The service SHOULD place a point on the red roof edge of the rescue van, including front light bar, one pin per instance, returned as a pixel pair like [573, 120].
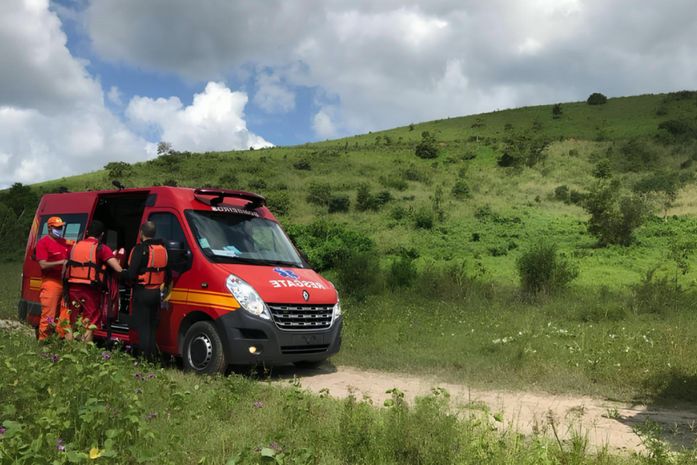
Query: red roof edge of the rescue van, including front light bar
[181, 198]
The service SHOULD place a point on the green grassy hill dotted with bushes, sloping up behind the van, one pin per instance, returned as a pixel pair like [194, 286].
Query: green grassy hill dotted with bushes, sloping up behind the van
[481, 212]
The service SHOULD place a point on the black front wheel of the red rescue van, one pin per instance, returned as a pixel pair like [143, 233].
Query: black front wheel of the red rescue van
[203, 349]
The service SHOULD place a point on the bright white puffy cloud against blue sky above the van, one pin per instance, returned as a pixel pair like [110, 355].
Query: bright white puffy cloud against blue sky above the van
[214, 121]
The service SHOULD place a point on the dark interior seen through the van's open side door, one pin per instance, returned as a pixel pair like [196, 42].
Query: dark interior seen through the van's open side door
[121, 215]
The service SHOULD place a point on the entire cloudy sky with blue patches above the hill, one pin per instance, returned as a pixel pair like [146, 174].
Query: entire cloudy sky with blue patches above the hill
[86, 82]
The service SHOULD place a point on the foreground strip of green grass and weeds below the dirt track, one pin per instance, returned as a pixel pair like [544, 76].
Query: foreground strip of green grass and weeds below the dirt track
[101, 407]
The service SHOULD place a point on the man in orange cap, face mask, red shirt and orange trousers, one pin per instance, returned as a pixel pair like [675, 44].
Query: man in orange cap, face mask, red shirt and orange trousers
[52, 253]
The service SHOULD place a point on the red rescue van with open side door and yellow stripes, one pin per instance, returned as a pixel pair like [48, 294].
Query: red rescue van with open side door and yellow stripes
[241, 293]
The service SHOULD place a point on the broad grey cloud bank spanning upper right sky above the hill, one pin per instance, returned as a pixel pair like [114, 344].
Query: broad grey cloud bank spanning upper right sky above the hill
[386, 62]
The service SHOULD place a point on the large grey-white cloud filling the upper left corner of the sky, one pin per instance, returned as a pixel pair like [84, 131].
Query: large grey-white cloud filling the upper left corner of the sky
[53, 121]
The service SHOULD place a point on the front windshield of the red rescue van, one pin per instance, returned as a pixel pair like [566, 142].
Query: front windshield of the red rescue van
[235, 238]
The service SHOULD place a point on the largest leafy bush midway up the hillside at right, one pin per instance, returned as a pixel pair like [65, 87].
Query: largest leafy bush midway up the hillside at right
[614, 217]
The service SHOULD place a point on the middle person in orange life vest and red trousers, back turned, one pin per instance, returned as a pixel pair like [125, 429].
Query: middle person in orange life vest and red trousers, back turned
[84, 277]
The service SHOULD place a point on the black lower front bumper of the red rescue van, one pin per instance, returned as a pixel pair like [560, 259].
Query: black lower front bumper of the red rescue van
[241, 331]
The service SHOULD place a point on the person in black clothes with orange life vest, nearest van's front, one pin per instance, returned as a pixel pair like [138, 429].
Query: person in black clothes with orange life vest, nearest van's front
[148, 273]
